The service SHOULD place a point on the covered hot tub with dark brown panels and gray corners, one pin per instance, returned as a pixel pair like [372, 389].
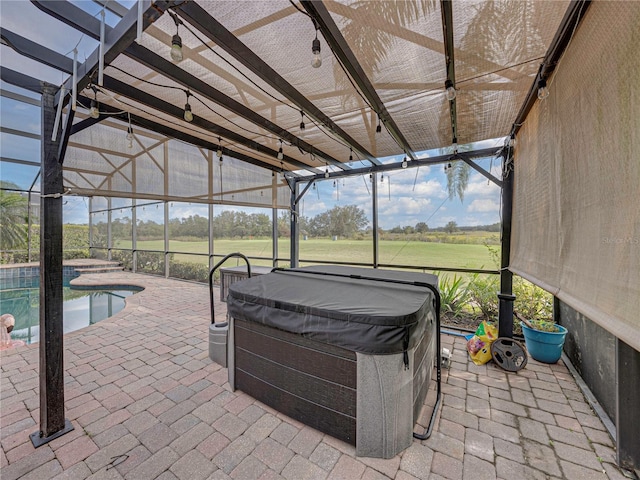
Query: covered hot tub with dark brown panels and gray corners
[348, 351]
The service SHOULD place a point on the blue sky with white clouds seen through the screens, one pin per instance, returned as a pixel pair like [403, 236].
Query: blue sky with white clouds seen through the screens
[405, 197]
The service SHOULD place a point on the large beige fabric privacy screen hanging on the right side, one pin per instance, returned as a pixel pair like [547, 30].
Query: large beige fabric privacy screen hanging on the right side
[576, 216]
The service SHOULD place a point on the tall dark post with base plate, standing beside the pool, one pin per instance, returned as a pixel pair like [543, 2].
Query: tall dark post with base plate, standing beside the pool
[52, 421]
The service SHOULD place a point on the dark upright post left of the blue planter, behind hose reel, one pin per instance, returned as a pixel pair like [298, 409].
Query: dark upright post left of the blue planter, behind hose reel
[506, 297]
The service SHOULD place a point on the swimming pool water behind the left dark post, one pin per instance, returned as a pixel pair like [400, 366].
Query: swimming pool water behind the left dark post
[81, 308]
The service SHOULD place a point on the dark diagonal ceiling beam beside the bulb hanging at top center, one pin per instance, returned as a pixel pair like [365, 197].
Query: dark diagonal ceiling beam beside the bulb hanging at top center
[338, 44]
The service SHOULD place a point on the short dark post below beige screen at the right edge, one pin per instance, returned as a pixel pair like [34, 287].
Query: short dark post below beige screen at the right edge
[627, 411]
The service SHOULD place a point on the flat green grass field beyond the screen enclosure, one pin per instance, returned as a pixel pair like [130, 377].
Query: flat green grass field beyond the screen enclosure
[405, 253]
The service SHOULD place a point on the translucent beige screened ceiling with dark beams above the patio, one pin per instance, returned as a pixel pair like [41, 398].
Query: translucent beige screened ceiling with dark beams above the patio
[247, 75]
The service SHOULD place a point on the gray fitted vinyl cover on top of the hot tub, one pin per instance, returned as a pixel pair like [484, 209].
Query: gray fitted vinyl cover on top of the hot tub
[321, 303]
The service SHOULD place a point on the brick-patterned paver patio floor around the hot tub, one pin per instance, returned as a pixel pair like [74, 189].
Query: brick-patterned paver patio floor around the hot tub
[147, 402]
